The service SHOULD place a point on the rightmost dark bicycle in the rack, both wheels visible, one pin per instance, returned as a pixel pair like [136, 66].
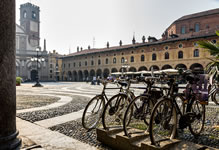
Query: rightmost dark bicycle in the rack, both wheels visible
[163, 121]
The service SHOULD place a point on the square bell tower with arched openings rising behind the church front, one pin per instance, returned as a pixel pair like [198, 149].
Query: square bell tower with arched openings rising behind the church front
[30, 21]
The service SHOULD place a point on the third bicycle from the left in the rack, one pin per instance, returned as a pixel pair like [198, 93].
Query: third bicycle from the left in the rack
[137, 115]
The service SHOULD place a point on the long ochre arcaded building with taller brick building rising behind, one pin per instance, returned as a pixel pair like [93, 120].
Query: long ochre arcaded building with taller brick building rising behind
[177, 48]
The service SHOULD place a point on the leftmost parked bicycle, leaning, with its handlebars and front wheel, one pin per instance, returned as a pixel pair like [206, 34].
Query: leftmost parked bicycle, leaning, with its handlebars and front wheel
[94, 109]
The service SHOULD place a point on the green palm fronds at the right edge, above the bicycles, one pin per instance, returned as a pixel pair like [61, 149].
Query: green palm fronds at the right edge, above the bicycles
[213, 48]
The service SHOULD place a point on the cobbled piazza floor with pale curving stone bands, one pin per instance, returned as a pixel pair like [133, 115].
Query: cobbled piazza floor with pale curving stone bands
[66, 118]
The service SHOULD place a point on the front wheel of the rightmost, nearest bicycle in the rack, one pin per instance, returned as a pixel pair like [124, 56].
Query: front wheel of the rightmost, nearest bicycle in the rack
[163, 122]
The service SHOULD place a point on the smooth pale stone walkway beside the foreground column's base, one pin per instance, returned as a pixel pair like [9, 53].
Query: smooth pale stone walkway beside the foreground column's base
[41, 138]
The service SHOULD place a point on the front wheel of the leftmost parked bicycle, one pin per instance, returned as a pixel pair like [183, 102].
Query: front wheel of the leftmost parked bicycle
[93, 112]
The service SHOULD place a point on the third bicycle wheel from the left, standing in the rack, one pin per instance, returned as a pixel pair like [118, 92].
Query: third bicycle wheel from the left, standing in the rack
[137, 116]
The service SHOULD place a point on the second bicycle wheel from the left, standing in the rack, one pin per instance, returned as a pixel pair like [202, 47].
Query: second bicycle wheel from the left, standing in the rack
[113, 113]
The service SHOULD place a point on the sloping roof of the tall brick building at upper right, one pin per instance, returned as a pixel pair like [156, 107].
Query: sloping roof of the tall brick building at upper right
[200, 14]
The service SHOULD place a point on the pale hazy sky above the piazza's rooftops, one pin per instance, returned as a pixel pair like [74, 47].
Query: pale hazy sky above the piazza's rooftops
[66, 24]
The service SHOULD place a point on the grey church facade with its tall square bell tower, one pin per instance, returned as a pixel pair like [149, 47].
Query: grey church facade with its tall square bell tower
[27, 41]
